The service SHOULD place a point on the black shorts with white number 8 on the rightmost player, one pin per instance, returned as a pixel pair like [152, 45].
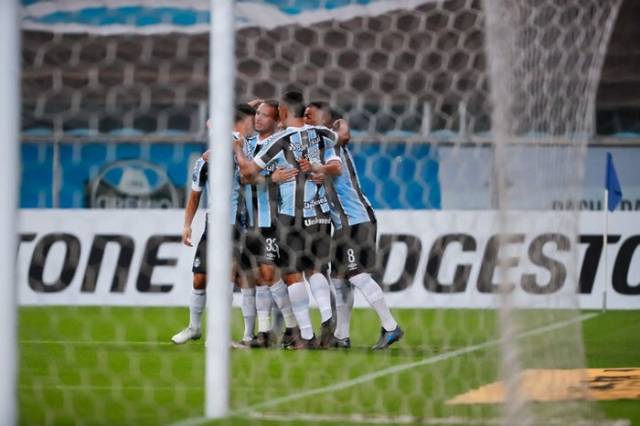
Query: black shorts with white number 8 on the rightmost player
[354, 249]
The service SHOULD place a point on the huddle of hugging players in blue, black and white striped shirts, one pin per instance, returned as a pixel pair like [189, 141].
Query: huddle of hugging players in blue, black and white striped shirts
[298, 213]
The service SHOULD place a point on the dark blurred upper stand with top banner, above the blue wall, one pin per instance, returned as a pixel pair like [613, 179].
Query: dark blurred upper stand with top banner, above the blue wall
[141, 67]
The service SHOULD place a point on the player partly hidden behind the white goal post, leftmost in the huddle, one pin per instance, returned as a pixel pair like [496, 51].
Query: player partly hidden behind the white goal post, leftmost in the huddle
[243, 127]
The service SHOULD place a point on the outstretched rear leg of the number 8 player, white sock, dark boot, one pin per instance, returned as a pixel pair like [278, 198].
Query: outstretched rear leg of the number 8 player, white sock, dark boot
[360, 257]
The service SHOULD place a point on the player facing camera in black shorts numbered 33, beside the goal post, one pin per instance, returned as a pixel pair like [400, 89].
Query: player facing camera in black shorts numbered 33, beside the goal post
[261, 240]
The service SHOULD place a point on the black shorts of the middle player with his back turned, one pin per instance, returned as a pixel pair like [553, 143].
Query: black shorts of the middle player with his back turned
[303, 246]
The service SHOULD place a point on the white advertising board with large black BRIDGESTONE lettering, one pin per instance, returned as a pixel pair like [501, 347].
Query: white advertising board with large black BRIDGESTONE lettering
[427, 259]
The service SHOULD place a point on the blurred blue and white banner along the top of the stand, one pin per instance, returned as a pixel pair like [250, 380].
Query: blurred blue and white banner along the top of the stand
[166, 16]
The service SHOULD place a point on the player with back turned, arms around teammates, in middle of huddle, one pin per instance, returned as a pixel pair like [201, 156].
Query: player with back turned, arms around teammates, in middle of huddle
[303, 210]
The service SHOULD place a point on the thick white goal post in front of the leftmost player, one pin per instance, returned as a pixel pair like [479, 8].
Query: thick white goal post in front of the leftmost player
[221, 93]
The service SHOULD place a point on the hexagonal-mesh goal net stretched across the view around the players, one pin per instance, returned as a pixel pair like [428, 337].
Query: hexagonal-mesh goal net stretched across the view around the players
[468, 120]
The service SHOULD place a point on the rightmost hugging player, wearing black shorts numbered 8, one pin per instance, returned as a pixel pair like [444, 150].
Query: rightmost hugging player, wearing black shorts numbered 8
[354, 240]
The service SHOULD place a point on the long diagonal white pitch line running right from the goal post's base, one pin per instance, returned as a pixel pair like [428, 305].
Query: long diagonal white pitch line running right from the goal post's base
[385, 372]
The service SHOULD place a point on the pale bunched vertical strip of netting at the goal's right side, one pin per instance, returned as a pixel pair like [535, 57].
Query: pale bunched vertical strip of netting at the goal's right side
[545, 67]
